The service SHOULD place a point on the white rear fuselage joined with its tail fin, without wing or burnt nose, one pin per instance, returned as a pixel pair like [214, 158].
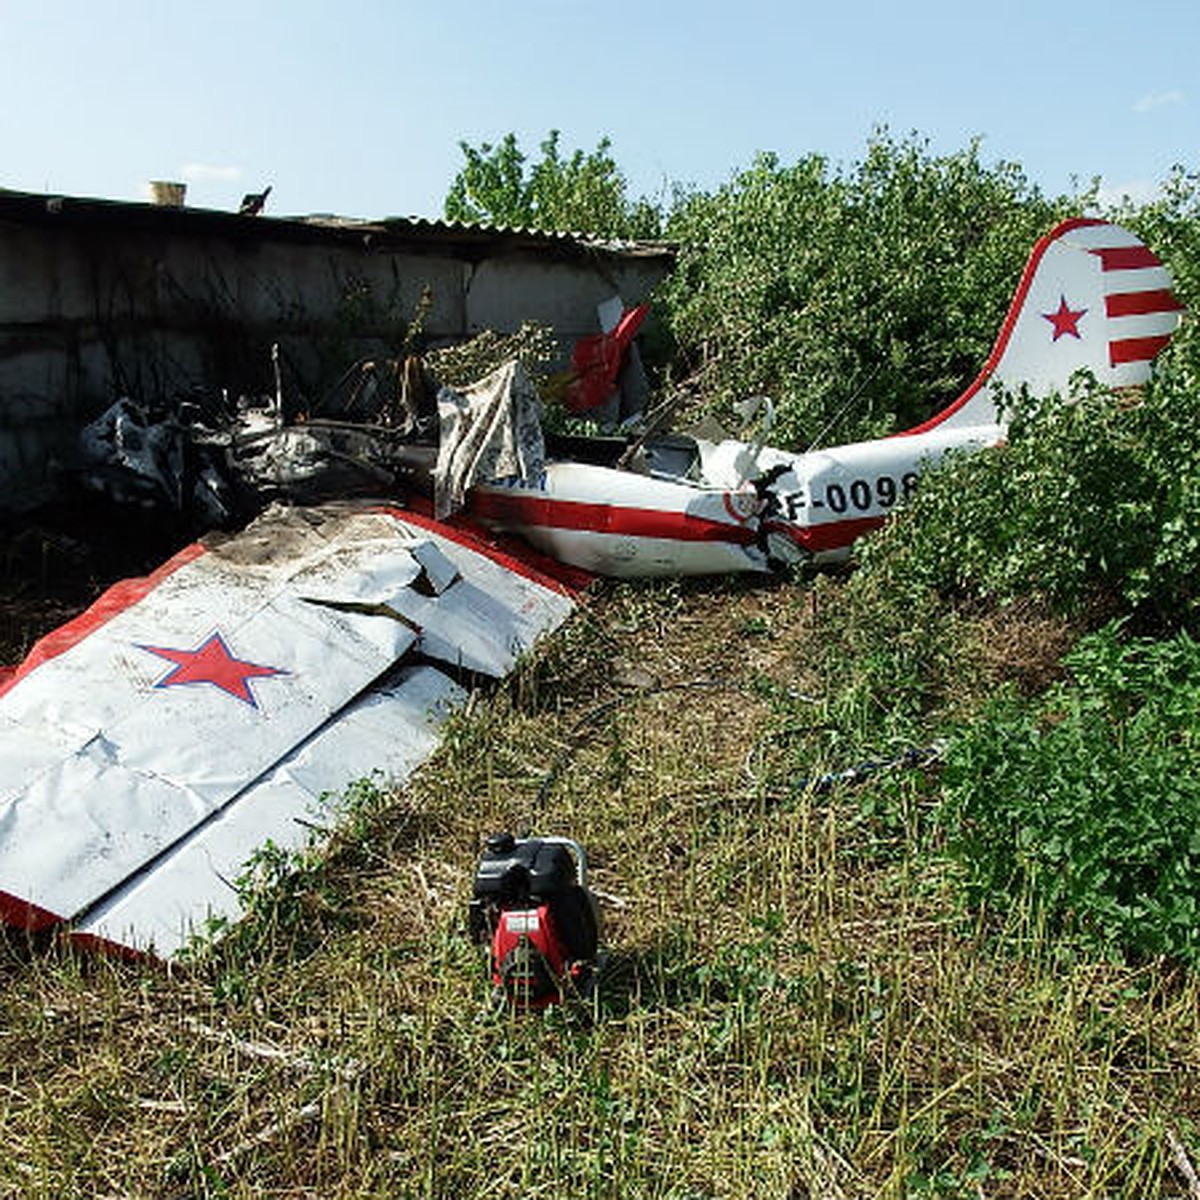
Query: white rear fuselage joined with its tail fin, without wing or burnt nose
[1093, 297]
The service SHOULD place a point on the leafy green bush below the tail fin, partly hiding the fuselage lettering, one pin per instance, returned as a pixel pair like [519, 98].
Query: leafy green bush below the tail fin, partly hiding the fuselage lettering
[1097, 497]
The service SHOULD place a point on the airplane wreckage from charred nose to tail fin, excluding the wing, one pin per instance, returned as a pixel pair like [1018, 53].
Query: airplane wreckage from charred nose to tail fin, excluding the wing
[1093, 298]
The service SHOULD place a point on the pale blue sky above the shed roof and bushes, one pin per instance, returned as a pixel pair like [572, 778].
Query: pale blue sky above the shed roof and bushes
[358, 107]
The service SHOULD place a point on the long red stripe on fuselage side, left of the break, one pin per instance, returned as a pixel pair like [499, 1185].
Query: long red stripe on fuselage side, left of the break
[547, 513]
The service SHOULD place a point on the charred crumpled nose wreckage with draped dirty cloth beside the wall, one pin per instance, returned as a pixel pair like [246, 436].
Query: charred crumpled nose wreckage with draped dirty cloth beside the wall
[217, 464]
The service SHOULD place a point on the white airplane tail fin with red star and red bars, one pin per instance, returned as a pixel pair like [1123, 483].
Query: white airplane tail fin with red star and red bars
[1093, 297]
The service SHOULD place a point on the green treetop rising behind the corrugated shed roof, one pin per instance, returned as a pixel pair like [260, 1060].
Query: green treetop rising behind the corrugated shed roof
[577, 194]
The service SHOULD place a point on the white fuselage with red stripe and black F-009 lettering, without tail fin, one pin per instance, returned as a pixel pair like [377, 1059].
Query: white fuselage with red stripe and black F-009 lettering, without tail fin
[627, 524]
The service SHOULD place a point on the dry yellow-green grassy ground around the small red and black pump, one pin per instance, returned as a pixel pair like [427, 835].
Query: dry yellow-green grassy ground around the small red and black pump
[795, 1006]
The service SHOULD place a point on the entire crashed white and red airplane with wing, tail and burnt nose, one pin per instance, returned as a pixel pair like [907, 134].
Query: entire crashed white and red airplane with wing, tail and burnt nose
[149, 747]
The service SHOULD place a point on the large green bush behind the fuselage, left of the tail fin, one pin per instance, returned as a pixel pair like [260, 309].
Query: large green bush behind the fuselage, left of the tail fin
[861, 301]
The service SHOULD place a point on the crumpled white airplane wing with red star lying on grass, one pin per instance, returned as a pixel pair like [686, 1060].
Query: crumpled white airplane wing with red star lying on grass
[152, 746]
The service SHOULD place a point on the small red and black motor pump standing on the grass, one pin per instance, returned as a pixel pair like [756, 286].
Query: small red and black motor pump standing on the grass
[532, 905]
